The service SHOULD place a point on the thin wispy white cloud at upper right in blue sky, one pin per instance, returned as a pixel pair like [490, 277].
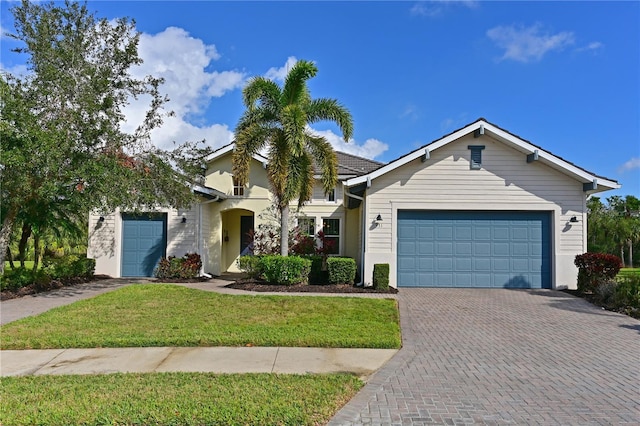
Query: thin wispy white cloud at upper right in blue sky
[525, 44]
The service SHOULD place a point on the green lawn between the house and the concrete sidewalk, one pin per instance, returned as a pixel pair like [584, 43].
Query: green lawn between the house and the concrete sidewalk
[170, 315]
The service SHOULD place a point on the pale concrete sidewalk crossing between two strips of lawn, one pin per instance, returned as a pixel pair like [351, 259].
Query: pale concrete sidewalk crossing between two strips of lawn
[362, 362]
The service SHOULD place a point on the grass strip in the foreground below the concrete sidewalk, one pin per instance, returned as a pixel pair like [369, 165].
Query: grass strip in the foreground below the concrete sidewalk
[175, 399]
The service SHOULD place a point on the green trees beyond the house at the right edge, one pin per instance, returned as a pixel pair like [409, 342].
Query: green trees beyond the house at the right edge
[614, 227]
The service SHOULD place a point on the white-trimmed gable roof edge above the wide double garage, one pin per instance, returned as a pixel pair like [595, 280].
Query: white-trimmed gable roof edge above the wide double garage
[491, 130]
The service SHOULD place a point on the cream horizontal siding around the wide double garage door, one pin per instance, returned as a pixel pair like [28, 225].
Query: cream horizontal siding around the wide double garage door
[505, 182]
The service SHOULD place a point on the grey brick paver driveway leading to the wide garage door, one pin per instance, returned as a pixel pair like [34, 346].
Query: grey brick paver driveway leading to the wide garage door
[475, 356]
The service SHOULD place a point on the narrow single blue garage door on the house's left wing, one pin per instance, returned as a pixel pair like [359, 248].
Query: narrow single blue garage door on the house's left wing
[144, 242]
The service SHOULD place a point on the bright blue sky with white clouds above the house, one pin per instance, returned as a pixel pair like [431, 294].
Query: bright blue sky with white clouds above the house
[563, 75]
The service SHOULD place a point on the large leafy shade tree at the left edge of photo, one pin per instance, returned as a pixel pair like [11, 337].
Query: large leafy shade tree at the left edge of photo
[64, 149]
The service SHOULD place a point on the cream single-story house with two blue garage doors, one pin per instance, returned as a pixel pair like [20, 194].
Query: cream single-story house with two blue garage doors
[479, 207]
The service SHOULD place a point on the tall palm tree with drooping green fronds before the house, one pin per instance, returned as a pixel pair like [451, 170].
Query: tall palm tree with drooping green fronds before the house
[278, 118]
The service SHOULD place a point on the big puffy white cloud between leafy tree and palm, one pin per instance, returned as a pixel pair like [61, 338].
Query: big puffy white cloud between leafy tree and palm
[183, 62]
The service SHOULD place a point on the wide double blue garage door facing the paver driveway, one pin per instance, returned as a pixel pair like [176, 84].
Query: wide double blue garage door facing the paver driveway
[473, 249]
